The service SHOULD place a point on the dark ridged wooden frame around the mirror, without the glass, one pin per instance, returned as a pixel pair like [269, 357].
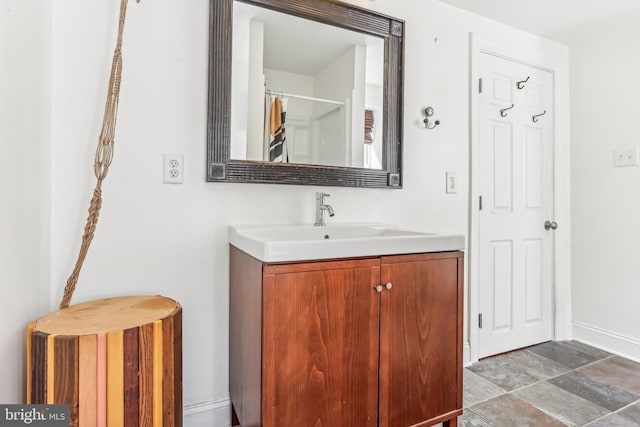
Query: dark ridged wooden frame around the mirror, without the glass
[221, 168]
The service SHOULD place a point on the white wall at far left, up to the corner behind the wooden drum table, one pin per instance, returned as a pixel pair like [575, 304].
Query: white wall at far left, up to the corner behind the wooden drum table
[24, 187]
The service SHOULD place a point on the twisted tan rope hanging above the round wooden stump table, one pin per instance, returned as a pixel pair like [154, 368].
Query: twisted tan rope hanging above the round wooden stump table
[104, 156]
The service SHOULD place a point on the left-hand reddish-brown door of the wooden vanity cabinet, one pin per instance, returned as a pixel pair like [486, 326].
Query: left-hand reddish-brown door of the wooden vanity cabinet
[321, 336]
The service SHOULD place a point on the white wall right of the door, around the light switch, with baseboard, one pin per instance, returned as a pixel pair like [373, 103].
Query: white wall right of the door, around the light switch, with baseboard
[605, 200]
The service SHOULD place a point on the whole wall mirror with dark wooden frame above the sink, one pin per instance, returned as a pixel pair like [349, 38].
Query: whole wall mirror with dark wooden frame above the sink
[304, 92]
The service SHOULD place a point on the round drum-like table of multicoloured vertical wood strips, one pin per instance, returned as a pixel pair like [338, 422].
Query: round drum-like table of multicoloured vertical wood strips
[114, 361]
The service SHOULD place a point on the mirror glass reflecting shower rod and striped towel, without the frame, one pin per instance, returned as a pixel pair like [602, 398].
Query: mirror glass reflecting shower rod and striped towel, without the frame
[304, 92]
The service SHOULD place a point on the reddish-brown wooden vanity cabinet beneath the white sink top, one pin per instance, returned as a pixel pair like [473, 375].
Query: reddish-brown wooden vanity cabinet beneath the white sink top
[319, 344]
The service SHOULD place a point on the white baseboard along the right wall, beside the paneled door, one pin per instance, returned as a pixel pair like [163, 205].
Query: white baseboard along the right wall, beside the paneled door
[612, 342]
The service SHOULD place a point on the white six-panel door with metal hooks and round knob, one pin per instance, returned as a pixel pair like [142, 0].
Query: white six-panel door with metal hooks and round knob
[516, 189]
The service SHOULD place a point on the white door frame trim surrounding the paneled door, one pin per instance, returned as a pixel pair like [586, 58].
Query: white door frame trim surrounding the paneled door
[548, 56]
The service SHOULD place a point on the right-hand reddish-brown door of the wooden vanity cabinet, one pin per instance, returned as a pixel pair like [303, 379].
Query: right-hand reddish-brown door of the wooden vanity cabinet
[421, 339]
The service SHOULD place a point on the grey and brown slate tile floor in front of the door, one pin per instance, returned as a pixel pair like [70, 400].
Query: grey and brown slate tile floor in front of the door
[564, 383]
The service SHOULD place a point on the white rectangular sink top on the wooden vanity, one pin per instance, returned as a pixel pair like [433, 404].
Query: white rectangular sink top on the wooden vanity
[279, 243]
